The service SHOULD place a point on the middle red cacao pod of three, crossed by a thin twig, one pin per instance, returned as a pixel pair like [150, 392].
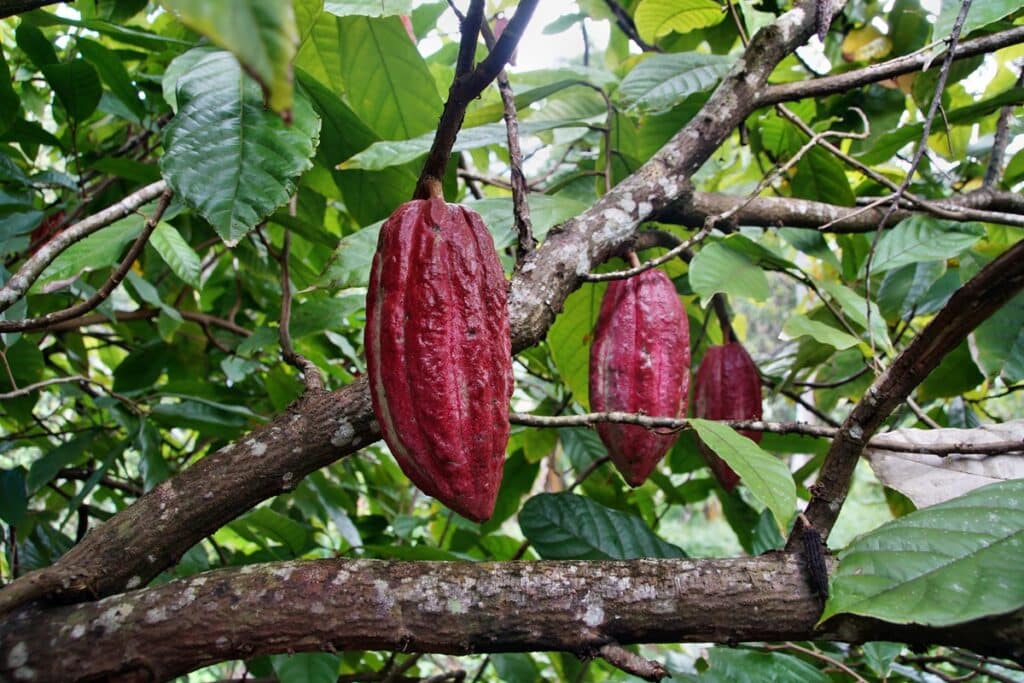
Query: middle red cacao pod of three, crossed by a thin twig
[639, 363]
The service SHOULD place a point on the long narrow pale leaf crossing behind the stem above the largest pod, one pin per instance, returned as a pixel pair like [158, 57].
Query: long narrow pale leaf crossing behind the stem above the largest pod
[393, 153]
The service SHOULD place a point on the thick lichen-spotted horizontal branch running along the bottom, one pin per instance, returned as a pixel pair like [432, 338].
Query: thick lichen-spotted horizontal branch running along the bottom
[451, 608]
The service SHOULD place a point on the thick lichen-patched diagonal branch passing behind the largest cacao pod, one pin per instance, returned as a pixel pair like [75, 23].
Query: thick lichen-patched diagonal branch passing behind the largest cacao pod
[149, 537]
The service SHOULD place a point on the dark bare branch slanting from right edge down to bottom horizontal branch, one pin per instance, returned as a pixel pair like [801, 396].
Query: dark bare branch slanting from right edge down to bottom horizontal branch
[970, 306]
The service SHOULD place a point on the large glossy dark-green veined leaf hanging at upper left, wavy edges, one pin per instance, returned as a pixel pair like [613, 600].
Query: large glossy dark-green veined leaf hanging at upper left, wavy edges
[227, 156]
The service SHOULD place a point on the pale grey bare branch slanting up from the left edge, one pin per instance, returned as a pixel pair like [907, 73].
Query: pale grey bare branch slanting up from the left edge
[20, 283]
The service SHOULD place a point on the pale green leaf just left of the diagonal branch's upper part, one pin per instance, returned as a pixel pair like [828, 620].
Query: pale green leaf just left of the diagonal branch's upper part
[662, 81]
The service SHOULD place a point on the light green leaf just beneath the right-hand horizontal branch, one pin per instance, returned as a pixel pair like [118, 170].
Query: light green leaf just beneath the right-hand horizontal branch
[923, 238]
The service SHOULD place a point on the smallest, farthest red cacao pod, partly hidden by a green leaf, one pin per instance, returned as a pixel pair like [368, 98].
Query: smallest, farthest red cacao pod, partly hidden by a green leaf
[728, 388]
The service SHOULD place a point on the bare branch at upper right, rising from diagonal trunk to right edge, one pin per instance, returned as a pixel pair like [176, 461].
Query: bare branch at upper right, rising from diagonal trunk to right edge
[829, 86]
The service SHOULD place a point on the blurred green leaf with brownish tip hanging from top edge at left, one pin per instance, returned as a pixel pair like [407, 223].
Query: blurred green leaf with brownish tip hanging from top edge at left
[261, 33]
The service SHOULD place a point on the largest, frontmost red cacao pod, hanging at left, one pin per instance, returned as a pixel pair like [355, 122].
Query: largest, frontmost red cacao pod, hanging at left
[439, 353]
